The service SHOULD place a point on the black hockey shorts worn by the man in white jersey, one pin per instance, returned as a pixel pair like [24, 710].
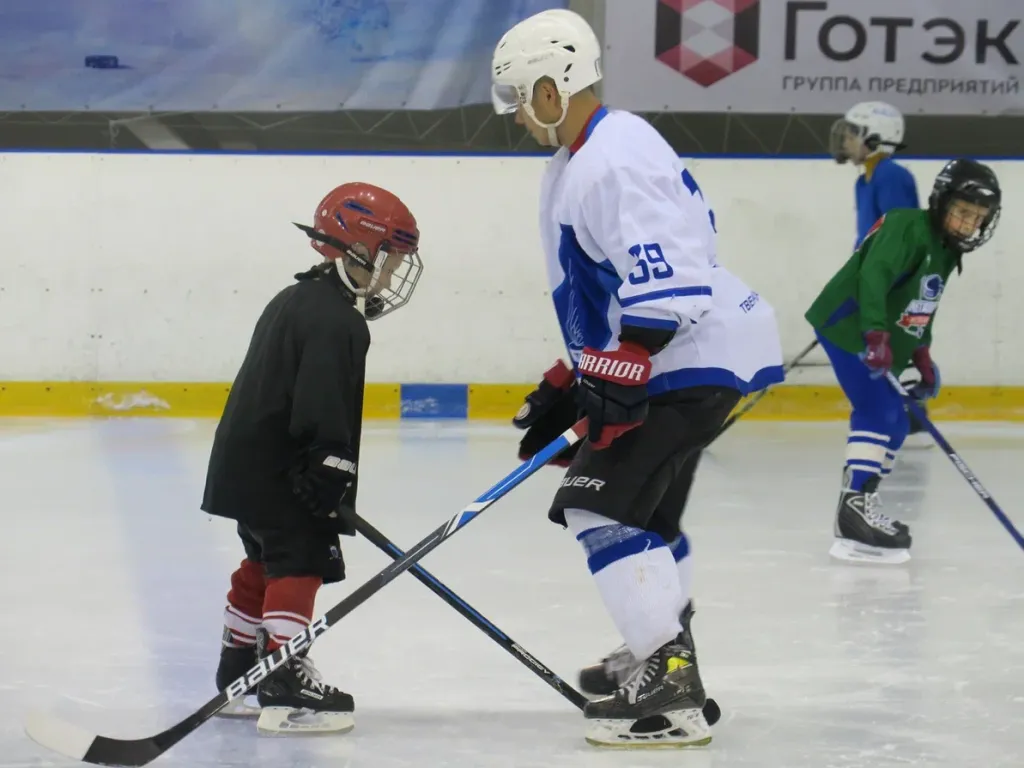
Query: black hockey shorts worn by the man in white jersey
[644, 480]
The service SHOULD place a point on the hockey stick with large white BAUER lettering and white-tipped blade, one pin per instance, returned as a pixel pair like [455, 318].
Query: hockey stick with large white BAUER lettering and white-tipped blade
[78, 744]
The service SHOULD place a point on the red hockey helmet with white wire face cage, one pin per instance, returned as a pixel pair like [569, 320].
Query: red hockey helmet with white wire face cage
[376, 238]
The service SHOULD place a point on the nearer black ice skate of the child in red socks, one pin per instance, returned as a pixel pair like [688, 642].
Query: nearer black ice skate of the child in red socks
[294, 700]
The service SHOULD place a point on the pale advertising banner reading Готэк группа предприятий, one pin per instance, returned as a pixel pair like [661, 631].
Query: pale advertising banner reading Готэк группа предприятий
[815, 57]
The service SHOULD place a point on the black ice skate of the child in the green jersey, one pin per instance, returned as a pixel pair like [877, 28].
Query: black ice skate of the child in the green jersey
[864, 534]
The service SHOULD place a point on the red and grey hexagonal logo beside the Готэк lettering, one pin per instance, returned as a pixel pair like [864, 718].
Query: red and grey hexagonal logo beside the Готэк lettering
[707, 40]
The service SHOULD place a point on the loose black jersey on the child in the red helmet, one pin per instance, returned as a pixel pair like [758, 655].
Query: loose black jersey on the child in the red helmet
[302, 383]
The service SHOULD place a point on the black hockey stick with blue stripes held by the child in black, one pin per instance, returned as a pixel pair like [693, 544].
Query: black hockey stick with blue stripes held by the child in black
[712, 712]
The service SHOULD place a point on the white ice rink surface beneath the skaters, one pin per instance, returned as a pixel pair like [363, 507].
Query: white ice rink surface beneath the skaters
[114, 586]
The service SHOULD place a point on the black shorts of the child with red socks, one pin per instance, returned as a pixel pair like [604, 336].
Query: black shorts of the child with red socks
[305, 549]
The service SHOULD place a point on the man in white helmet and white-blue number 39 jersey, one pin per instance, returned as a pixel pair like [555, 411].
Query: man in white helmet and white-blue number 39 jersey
[664, 343]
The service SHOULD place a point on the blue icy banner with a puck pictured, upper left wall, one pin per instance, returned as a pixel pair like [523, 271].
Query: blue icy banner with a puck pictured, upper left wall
[251, 56]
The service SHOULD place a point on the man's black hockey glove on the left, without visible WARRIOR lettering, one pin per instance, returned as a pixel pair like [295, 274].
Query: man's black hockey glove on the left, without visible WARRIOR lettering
[549, 411]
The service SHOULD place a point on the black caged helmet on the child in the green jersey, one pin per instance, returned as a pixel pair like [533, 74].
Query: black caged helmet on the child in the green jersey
[972, 183]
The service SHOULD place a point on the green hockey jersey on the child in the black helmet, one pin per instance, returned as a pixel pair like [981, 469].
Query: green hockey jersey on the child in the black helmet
[892, 283]
